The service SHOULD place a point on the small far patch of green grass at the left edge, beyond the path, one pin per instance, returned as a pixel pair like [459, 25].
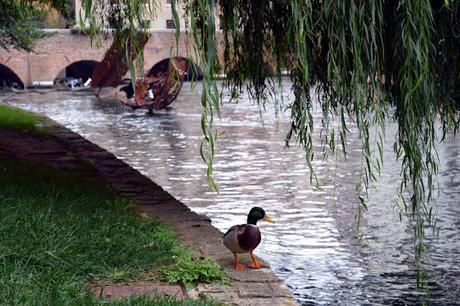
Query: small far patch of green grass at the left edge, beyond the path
[16, 119]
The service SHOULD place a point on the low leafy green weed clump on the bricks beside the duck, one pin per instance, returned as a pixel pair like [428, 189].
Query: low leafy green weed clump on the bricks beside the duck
[190, 271]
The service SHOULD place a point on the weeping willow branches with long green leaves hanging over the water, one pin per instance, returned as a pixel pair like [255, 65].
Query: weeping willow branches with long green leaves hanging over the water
[369, 61]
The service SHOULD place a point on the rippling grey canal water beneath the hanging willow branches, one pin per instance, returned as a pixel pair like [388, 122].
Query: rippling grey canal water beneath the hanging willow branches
[314, 246]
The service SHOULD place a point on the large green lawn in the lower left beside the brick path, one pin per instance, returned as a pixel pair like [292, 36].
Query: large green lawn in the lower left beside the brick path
[58, 233]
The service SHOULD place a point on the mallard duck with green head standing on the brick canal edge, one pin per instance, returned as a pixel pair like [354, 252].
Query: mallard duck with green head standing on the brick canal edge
[244, 238]
